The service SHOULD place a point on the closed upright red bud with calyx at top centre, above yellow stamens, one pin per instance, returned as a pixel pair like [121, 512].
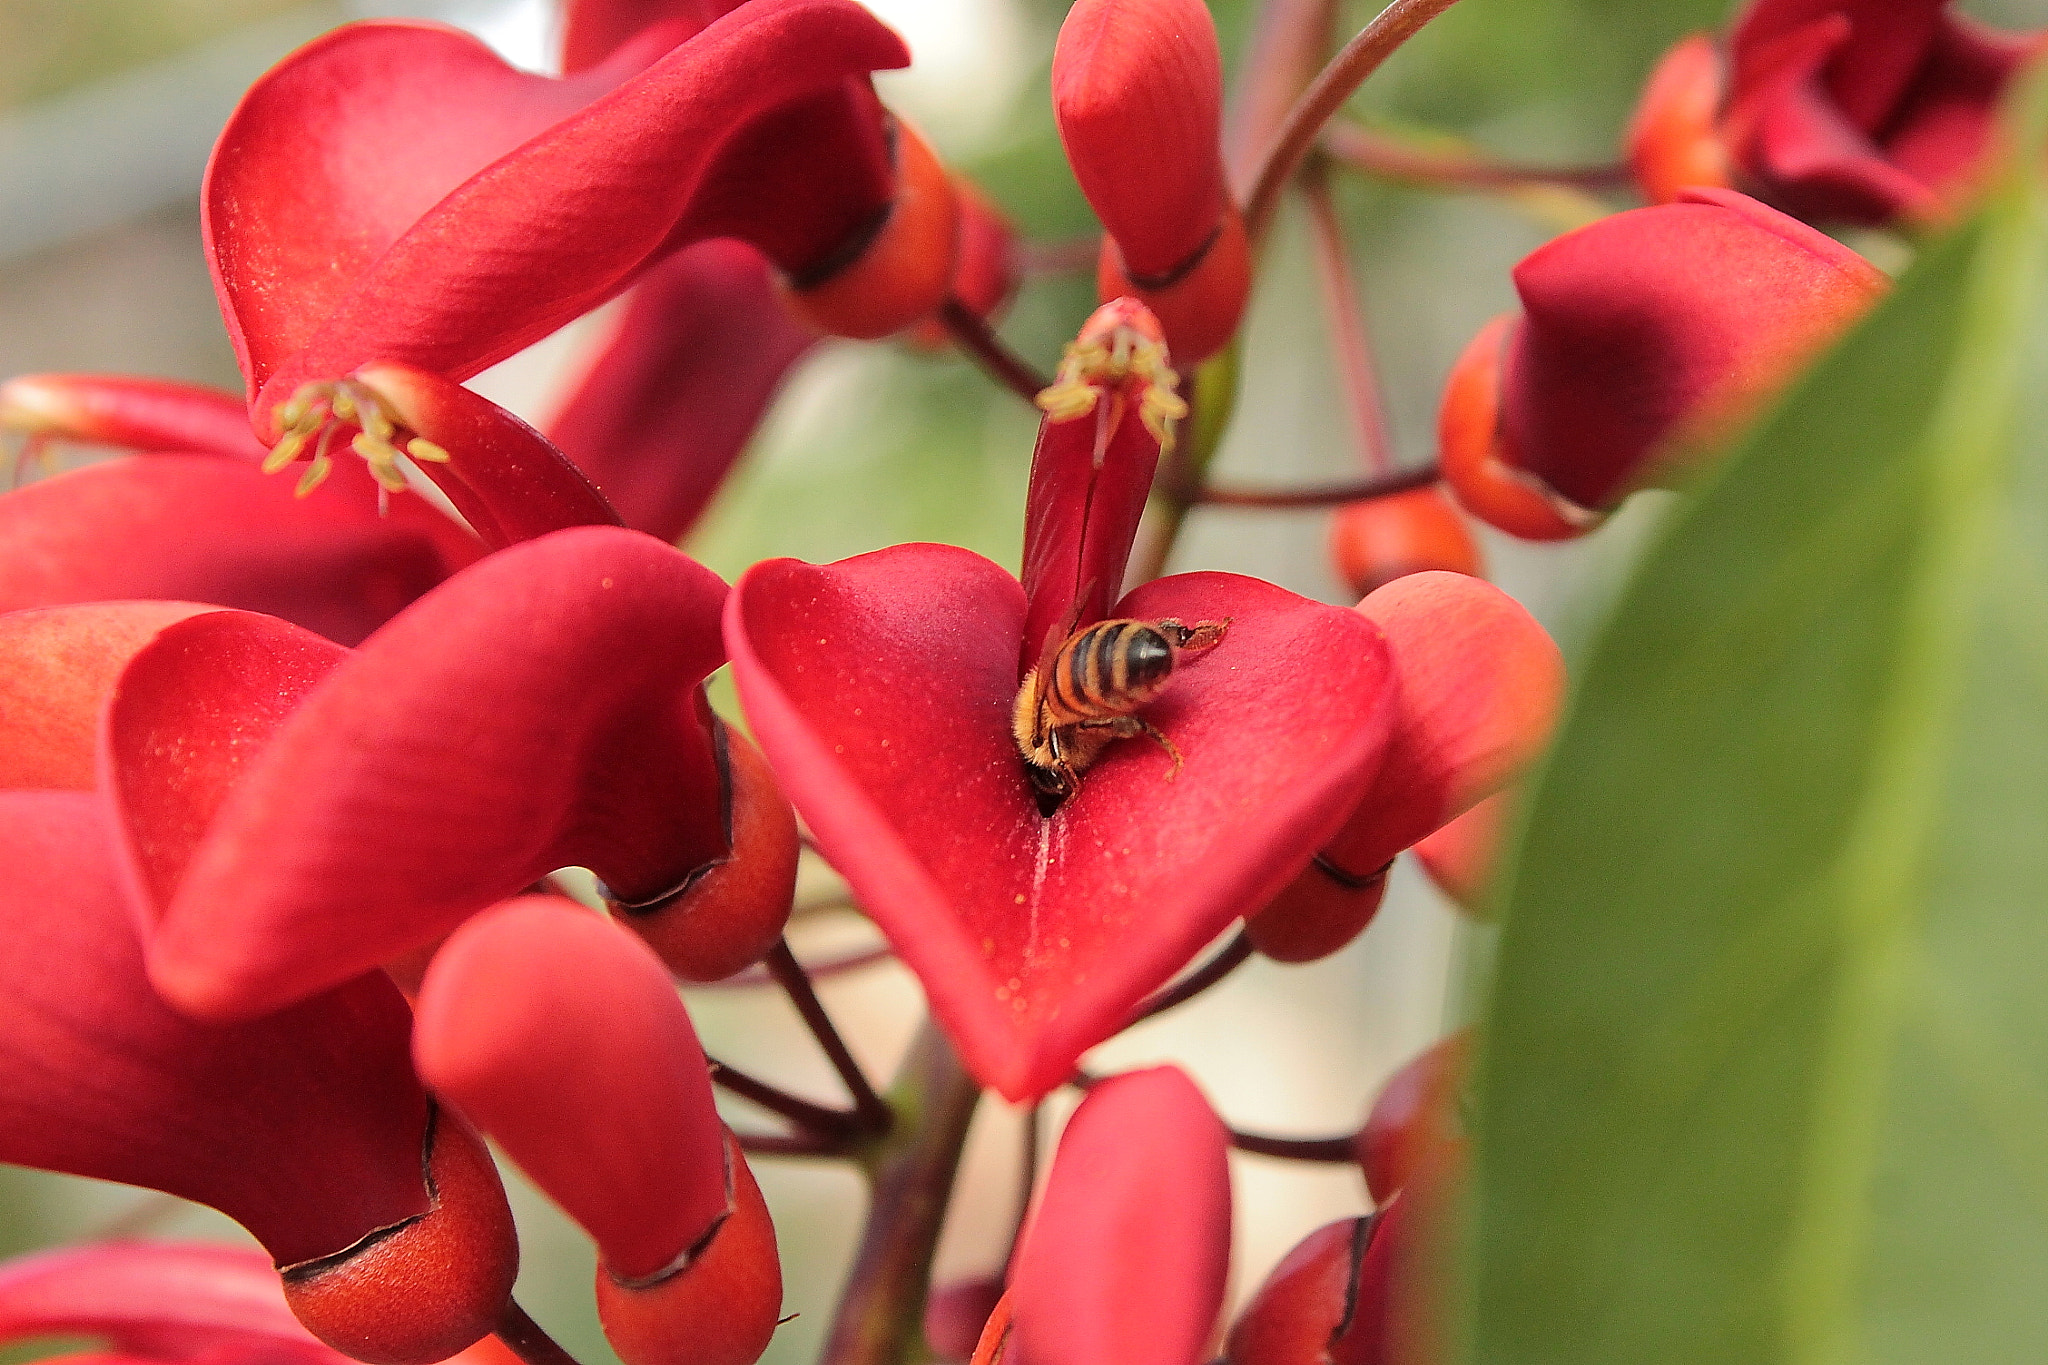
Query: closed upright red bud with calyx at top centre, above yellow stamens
[1138, 89]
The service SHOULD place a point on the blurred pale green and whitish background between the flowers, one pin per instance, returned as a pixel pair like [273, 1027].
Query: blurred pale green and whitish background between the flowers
[105, 116]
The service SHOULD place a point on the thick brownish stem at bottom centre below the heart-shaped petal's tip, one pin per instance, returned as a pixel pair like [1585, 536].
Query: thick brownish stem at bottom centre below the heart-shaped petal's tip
[882, 1311]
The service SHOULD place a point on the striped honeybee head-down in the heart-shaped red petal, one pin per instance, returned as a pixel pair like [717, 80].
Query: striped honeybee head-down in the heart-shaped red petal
[1086, 693]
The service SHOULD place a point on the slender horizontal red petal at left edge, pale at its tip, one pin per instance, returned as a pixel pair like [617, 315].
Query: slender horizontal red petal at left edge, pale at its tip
[122, 410]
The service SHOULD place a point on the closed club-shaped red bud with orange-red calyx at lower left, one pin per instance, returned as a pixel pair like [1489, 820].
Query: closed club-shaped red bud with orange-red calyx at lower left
[562, 1037]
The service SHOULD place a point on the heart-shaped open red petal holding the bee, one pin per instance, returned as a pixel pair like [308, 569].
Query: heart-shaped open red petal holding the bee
[882, 691]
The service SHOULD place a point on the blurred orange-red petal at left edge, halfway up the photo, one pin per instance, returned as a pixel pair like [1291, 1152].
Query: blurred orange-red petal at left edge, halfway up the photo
[56, 670]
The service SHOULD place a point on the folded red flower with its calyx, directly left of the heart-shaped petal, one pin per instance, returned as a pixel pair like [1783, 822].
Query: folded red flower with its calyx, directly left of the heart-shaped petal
[296, 813]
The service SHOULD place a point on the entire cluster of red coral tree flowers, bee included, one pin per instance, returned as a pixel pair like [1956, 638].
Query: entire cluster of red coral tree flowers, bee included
[284, 799]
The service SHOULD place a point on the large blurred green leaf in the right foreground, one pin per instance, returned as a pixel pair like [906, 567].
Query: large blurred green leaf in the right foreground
[1768, 1049]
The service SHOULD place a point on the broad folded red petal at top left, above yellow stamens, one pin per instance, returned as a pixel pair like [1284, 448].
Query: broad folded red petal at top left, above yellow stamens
[534, 202]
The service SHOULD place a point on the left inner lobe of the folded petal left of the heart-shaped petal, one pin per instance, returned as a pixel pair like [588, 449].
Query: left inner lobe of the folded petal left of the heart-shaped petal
[189, 713]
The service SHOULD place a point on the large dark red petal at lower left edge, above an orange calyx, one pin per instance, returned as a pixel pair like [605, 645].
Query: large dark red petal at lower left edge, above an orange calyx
[306, 1127]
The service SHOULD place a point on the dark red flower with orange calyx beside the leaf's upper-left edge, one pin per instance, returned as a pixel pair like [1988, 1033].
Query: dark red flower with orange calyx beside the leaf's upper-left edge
[1644, 339]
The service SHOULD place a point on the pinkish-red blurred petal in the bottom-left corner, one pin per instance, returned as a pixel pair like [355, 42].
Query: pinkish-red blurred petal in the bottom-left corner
[161, 1301]
